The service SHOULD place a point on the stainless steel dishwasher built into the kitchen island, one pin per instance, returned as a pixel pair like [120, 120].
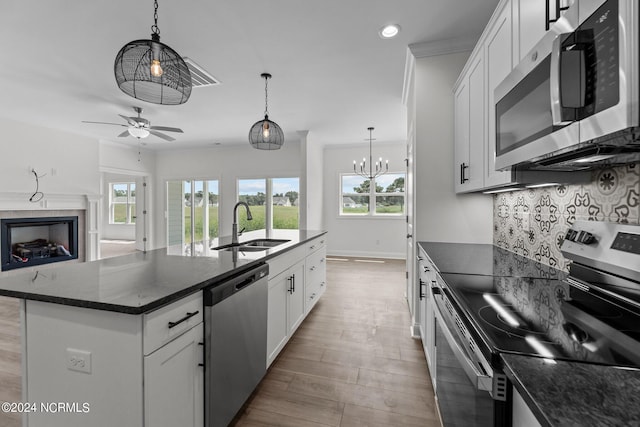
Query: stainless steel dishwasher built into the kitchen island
[235, 319]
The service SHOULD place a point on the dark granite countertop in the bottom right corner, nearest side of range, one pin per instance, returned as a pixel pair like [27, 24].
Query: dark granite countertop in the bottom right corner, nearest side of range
[576, 394]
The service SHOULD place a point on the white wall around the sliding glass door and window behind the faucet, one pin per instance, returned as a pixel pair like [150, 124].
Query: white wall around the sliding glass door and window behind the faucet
[226, 165]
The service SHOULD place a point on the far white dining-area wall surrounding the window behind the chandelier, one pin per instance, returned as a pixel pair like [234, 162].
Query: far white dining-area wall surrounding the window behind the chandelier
[379, 237]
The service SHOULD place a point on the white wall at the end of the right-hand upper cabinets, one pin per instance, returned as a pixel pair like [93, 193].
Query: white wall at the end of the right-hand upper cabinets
[441, 215]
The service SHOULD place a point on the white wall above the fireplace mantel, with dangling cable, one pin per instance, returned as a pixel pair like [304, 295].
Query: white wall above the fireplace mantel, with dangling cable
[68, 162]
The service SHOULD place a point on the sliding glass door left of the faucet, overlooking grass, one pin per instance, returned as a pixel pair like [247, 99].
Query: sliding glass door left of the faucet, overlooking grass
[192, 211]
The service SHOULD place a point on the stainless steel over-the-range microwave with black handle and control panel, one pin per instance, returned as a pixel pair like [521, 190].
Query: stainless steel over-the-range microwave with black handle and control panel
[572, 103]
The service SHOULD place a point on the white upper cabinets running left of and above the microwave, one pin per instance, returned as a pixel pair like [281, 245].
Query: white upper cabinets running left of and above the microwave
[514, 29]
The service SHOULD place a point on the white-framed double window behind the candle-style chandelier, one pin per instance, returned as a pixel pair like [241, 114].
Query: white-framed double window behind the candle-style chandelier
[385, 198]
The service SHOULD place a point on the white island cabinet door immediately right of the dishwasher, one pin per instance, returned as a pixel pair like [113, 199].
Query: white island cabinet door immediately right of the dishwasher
[277, 327]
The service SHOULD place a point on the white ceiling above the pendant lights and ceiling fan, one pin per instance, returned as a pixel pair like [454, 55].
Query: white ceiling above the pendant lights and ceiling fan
[332, 74]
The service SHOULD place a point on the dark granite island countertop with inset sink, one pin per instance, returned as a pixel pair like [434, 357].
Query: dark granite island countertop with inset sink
[143, 281]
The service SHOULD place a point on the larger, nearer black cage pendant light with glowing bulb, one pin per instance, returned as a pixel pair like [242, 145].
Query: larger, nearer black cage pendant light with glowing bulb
[151, 71]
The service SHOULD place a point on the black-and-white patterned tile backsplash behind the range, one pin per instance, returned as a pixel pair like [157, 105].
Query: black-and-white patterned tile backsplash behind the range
[533, 222]
